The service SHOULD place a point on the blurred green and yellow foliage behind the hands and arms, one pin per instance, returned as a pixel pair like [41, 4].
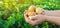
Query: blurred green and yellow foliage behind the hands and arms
[11, 13]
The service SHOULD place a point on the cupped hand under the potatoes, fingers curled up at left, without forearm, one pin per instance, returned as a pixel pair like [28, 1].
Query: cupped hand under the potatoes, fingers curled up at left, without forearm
[34, 20]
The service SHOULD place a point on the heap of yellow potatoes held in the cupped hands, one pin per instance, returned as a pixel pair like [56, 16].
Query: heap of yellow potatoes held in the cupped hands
[32, 11]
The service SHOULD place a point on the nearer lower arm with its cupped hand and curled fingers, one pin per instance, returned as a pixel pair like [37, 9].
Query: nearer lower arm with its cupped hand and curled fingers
[40, 18]
